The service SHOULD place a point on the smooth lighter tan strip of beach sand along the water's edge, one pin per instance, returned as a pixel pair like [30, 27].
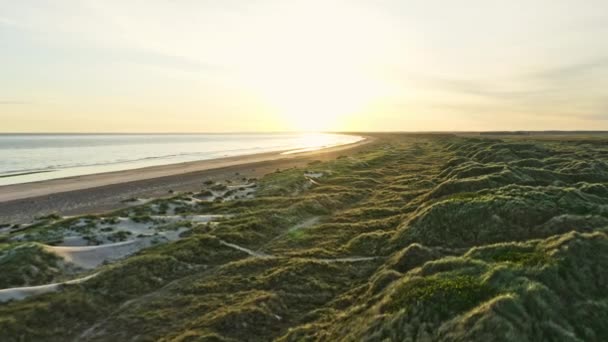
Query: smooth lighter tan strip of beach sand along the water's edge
[34, 189]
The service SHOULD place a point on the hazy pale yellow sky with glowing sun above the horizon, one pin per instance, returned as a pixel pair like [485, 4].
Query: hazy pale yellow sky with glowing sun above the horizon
[290, 65]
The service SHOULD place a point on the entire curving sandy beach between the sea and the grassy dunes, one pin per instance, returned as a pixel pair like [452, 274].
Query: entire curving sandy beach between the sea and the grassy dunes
[102, 192]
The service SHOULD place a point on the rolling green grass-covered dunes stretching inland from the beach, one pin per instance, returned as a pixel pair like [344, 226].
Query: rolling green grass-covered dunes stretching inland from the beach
[416, 237]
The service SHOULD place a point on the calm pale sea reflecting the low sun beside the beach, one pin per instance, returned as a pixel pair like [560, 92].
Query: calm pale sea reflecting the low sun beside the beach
[35, 157]
